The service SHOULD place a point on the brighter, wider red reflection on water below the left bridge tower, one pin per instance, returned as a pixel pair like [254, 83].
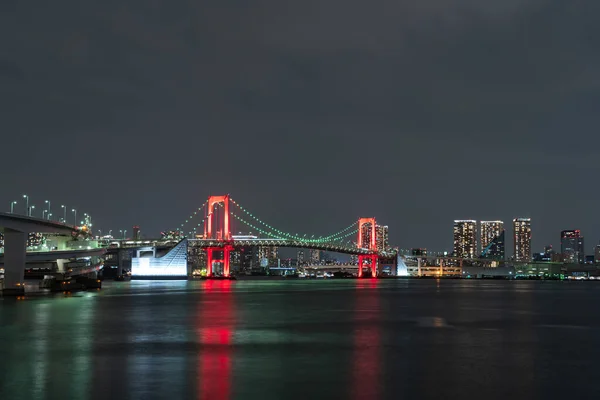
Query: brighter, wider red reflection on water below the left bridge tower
[214, 329]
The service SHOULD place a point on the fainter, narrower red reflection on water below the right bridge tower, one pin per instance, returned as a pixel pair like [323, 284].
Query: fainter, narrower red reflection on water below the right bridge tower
[367, 336]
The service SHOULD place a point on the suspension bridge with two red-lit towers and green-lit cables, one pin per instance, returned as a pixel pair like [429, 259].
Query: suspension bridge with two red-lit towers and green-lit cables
[217, 239]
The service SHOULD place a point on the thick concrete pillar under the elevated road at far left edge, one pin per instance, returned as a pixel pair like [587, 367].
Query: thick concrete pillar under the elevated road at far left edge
[15, 247]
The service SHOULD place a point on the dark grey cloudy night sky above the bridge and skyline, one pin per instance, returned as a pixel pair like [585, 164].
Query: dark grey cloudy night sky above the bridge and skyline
[309, 113]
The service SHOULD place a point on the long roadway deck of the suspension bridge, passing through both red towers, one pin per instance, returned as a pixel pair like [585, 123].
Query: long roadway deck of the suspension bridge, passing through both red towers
[204, 243]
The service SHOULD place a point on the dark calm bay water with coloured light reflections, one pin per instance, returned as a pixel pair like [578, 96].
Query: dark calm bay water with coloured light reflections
[388, 339]
